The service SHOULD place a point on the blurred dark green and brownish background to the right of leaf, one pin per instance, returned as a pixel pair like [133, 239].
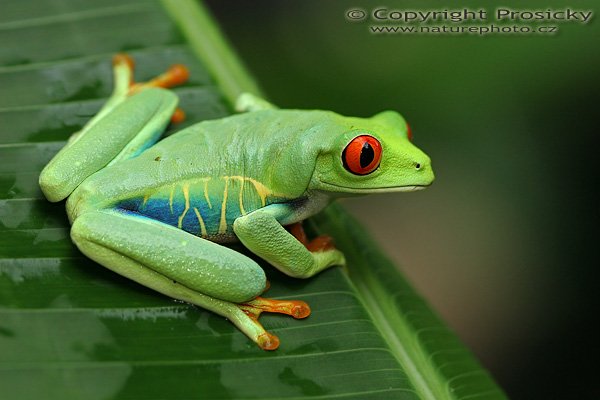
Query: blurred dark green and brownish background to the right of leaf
[504, 244]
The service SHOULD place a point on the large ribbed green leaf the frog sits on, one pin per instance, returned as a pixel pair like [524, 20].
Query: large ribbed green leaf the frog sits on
[71, 329]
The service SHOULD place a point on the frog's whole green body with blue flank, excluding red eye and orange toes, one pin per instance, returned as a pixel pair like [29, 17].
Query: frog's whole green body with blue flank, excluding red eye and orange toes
[242, 178]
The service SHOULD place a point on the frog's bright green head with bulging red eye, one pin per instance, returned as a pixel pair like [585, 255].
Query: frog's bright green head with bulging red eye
[373, 155]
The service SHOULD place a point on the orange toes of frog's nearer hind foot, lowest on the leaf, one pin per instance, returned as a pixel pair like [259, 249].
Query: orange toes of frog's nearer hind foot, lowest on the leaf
[253, 308]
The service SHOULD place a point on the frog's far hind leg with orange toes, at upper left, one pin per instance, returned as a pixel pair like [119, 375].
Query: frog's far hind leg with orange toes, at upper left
[131, 120]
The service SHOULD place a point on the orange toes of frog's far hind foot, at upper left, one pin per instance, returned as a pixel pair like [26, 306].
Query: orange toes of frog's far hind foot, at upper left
[174, 76]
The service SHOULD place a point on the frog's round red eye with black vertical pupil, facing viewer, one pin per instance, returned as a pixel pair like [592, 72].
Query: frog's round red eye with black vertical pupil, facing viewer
[362, 155]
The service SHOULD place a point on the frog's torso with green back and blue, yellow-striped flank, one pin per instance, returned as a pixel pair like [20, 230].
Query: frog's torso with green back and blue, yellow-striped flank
[204, 177]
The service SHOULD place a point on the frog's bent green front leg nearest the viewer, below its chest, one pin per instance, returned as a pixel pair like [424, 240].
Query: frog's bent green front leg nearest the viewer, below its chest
[262, 233]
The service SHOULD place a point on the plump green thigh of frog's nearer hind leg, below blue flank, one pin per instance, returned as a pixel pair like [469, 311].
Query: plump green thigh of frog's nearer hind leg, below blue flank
[165, 258]
